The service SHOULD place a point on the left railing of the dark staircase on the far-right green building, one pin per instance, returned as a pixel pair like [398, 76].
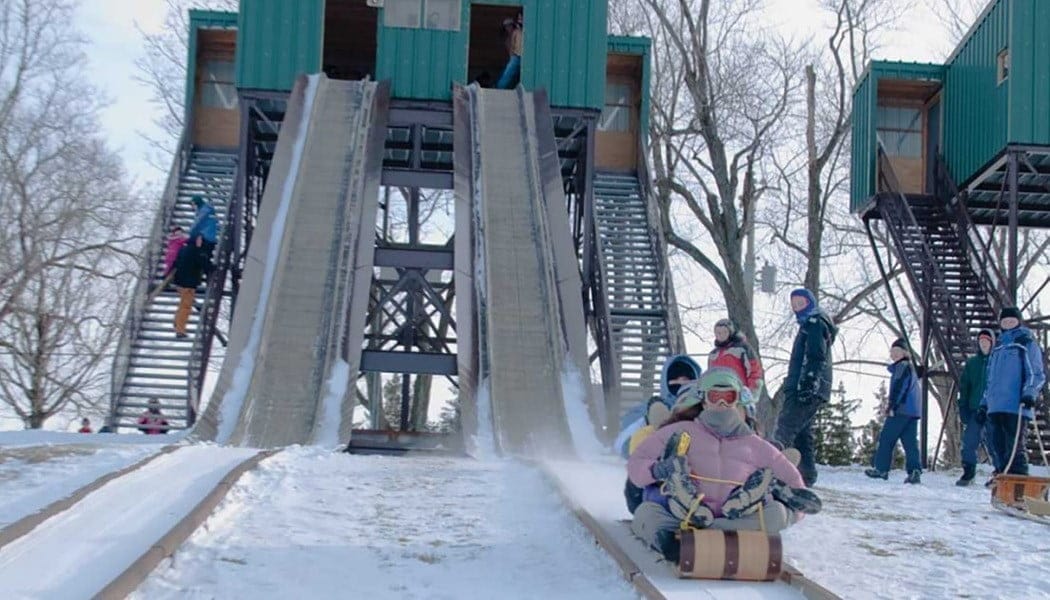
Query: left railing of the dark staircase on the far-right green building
[933, 287]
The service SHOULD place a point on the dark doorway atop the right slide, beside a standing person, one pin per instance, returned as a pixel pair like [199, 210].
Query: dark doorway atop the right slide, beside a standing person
[489, 54]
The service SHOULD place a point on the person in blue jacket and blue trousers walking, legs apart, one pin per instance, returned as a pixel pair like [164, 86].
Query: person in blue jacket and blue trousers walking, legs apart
[904, 411]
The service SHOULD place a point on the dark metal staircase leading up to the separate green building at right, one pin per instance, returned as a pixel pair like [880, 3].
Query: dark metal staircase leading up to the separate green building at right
[958, 287]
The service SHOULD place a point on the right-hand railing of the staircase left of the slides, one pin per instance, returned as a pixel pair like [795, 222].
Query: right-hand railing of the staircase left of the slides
[205, 336]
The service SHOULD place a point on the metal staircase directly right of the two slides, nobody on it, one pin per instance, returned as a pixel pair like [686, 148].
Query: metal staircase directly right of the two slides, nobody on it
[635, 286]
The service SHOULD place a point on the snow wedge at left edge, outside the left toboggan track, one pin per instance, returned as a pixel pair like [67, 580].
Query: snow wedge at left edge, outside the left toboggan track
[33, 475]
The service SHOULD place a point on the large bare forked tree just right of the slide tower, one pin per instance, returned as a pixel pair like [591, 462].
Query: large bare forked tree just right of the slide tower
[722, 89]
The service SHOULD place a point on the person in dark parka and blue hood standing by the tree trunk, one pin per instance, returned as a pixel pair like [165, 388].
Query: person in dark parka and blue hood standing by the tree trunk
[809, 383]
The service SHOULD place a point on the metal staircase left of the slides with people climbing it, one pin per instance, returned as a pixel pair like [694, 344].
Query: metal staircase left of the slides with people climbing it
[152, 363]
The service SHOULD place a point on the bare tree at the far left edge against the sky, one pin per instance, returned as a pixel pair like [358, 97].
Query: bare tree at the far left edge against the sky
[64, 214]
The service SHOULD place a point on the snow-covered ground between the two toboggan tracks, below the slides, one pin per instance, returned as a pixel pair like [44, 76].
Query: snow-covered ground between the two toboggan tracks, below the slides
[313, 524]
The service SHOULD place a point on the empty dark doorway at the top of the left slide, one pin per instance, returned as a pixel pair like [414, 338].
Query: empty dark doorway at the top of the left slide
[351, 38]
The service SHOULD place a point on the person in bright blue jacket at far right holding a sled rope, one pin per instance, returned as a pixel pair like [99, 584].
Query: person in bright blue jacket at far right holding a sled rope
[1016, 376]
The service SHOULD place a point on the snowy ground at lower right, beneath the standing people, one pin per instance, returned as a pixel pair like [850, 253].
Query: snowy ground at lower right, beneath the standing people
[885, 540]
